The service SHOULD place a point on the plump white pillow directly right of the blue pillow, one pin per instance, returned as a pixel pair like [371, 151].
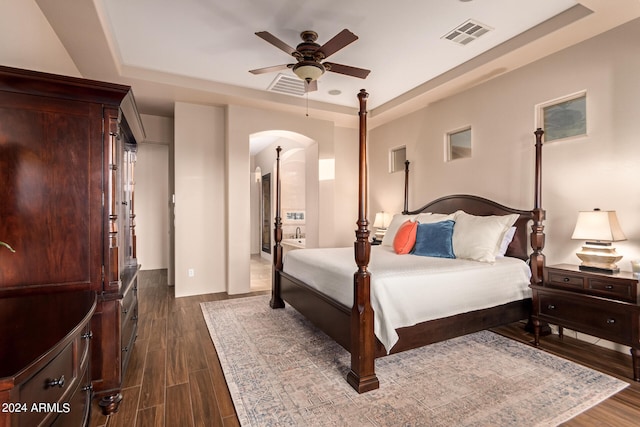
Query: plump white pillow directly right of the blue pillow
[479, 237]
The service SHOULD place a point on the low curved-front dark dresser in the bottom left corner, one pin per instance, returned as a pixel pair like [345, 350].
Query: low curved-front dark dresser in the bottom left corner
[45, 379]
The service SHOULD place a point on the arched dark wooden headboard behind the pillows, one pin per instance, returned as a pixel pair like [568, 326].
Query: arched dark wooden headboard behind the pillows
[474, 205]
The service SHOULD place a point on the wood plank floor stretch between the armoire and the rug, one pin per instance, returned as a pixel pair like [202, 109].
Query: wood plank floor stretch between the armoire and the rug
[174, 377]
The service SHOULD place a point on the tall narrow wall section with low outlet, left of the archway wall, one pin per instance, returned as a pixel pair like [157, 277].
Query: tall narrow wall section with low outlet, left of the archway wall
[200, 194]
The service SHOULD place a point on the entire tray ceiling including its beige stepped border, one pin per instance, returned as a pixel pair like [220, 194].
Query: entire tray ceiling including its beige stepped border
[201, 50]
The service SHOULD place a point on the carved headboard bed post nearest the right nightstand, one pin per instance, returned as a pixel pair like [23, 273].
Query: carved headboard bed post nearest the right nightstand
[537, 259]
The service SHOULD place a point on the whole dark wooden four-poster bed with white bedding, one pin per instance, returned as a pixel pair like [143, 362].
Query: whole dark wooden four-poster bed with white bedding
[351, 314]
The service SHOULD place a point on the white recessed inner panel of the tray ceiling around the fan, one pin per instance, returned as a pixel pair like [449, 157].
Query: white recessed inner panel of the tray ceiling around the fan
[400, 42]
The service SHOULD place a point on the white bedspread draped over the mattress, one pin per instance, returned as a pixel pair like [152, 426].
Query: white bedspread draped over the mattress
[409, 289]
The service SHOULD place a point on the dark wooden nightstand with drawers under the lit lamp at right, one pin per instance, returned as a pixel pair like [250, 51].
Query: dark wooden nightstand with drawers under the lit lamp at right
[603, 305]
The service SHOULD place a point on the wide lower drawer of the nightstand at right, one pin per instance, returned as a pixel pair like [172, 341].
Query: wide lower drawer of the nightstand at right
[608, 321]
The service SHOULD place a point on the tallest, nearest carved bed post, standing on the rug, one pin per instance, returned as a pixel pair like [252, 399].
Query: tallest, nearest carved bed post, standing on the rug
[362, 376]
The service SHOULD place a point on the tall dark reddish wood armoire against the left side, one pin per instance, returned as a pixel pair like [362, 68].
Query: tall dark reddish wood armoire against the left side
[67, 157]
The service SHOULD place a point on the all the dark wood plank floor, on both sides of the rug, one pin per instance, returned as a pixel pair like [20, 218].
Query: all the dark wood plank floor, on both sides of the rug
[175, 379]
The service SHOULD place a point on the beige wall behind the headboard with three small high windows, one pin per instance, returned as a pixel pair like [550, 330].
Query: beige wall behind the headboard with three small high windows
[599, 170]
